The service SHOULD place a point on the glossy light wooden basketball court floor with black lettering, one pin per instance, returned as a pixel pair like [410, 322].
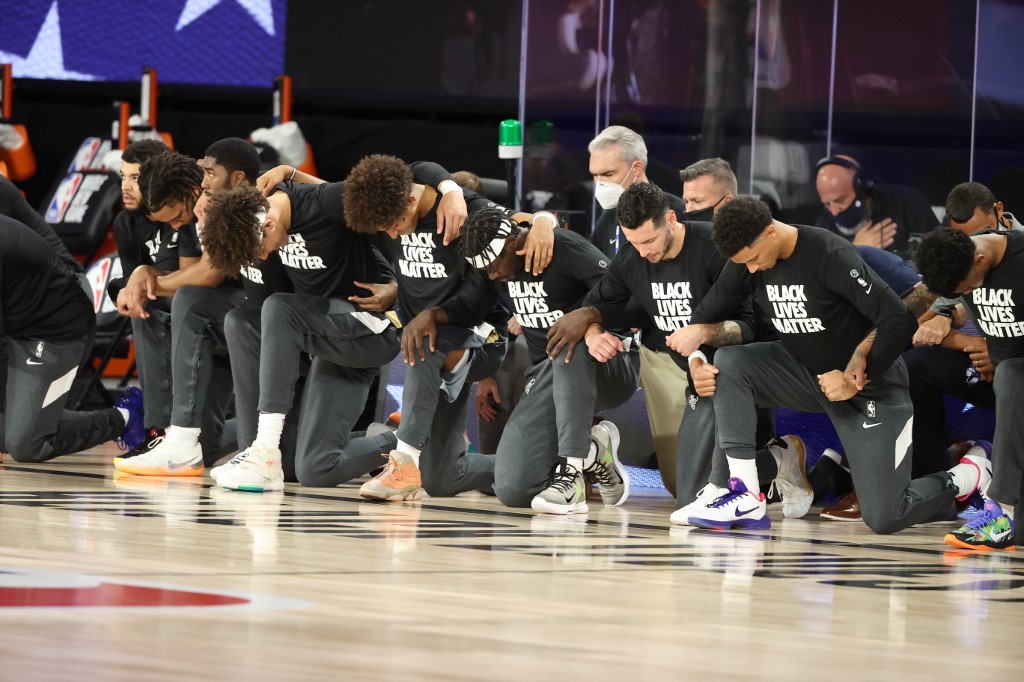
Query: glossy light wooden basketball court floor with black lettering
[146, 579]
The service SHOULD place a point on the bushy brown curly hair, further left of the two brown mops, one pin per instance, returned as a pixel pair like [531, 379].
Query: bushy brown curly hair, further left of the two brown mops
[231, 235]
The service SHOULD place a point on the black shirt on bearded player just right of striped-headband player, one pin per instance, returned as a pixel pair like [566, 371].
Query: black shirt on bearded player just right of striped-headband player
[668, 292]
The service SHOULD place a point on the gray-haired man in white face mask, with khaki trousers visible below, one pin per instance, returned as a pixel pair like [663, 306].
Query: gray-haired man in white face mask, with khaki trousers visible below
[618, 161]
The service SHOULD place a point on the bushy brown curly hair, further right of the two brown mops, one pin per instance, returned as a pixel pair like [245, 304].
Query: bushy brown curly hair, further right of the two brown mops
[376, 194]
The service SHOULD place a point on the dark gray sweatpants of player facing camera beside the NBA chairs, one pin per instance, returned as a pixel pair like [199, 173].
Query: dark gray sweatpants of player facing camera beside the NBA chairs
[153, 358]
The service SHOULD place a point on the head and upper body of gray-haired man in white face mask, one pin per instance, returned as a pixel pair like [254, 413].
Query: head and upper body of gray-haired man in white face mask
[618, 161]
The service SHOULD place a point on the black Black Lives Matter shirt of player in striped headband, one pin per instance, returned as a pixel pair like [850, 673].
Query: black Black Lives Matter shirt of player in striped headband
[537, 302]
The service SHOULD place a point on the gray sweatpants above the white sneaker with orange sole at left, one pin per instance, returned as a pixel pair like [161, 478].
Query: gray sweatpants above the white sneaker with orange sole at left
[202, 373]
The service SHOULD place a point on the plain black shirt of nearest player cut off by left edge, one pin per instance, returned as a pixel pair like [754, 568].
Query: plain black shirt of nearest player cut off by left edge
[40, 296]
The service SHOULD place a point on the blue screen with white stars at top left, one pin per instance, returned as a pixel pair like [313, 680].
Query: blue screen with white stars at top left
[215, 42]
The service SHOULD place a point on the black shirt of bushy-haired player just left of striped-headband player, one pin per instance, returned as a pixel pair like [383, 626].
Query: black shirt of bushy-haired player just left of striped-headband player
[429, 272]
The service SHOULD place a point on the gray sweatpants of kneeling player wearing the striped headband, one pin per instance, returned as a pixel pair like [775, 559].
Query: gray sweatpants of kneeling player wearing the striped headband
[554, 416]
